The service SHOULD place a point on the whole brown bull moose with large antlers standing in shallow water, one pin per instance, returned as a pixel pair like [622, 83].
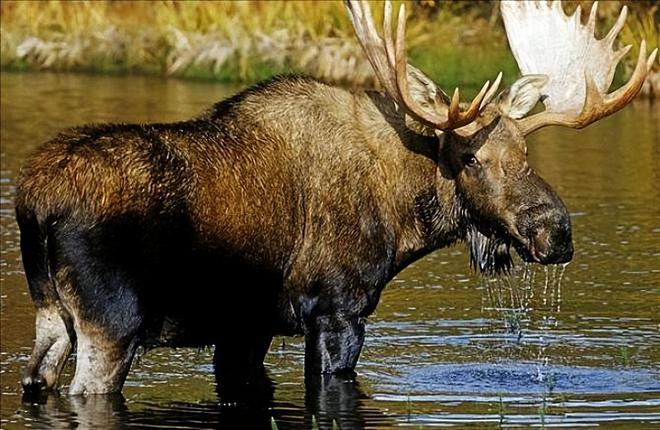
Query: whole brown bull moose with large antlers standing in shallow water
[287, 208]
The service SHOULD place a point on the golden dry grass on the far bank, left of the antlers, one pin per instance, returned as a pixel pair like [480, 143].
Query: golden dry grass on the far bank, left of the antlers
[222, 39]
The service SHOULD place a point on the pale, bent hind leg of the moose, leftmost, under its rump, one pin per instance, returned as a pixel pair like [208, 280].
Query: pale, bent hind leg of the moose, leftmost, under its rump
[51, 349]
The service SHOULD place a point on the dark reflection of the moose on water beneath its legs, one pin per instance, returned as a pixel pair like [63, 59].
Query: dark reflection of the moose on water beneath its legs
[329, 401]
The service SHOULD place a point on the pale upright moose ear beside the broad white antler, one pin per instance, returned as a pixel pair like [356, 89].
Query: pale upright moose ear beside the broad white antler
[516, 101]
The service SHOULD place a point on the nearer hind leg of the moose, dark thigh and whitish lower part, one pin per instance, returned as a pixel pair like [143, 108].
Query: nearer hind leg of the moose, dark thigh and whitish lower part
[99, 279]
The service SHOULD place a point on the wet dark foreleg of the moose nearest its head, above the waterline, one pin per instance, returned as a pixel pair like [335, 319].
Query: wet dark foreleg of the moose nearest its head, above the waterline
[333, 344]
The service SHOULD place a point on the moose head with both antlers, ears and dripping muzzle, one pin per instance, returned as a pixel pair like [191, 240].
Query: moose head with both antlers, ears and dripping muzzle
[482, 144]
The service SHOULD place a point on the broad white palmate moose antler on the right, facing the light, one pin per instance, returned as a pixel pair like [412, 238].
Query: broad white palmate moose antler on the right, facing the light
[580, 68]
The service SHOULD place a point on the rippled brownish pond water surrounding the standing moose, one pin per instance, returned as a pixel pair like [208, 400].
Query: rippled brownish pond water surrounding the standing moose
[574, 346]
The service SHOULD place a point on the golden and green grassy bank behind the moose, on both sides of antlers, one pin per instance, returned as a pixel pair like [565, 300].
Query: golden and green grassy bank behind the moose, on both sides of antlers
[456, 43]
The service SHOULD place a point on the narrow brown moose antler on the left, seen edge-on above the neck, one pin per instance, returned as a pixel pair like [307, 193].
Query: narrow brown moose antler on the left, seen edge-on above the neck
[389, 62]
